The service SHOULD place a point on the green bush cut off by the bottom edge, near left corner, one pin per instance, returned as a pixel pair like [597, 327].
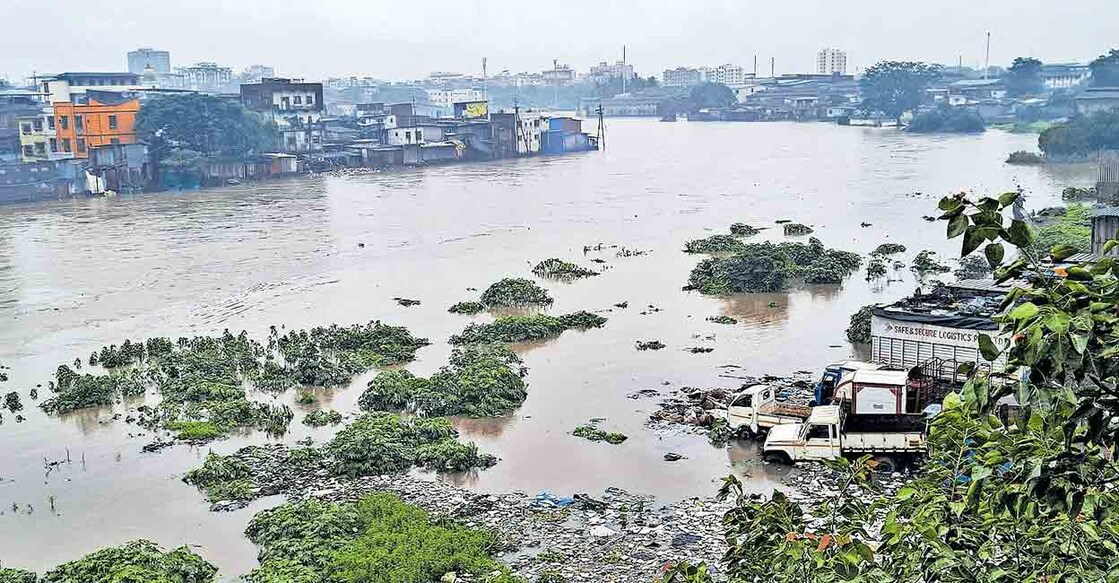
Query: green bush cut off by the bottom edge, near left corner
[139, 561]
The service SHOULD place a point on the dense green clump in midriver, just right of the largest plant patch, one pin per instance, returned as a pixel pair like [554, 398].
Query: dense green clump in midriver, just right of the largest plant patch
[481, 381]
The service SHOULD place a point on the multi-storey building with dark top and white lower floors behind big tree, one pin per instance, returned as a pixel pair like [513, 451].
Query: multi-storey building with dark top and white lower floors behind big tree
[296, 107]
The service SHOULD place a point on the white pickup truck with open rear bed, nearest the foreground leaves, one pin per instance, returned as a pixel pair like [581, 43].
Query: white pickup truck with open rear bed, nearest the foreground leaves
[830, 434]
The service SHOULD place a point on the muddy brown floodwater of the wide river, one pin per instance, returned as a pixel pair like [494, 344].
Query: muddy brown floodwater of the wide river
[78, 275]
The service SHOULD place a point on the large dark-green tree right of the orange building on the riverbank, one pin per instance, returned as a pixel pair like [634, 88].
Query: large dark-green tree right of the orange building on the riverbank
[206, 125]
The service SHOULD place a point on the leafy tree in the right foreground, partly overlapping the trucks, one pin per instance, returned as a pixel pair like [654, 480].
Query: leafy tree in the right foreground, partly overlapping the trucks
[1007, 495]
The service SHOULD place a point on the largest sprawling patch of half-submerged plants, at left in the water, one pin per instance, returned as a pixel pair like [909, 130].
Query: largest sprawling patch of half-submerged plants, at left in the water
[203, 380]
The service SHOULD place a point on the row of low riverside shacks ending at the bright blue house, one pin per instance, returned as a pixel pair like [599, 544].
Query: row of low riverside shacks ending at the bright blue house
[398, 135]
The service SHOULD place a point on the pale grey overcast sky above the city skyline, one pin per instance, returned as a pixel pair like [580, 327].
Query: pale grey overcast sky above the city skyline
[410, 39]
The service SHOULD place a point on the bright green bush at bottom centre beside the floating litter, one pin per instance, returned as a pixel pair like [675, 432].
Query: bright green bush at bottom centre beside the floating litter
[378, 540]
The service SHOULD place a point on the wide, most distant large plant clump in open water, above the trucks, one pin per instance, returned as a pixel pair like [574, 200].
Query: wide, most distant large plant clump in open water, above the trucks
[768, 268]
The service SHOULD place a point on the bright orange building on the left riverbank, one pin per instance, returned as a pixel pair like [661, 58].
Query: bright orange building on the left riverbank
[93, 119]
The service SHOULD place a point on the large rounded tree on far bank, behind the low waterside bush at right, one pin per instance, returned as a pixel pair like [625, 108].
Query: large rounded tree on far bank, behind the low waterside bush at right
[895, 88]
